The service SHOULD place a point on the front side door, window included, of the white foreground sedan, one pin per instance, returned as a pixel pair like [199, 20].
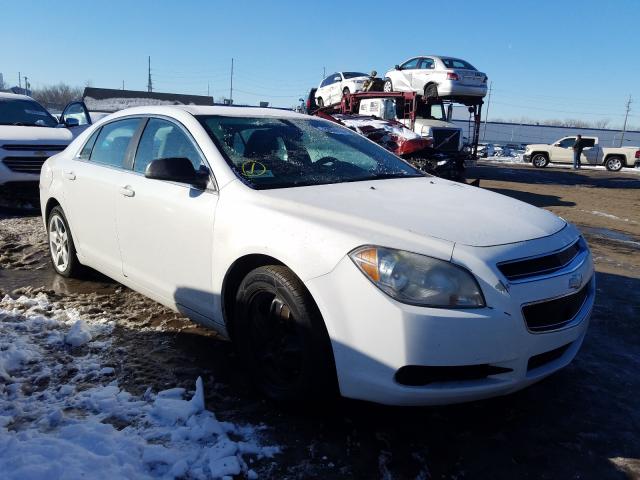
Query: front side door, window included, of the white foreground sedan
[165, 229]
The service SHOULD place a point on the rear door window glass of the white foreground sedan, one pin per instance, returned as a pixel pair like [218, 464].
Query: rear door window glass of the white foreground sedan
[112, 142]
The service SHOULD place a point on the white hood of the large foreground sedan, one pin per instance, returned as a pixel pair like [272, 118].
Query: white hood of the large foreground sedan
[428, 206]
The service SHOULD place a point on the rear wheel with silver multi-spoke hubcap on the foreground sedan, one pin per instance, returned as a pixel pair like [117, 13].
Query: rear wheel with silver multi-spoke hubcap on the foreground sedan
[62, 250]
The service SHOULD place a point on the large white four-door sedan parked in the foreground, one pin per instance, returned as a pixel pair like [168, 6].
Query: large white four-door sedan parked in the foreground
[326, 259]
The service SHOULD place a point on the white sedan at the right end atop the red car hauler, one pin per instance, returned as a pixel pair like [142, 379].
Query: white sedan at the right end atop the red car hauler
[434, 77]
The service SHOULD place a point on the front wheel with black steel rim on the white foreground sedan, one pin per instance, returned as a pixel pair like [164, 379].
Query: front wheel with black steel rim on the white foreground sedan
[281, 337]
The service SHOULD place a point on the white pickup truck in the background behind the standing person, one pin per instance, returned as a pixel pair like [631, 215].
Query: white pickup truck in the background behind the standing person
[613, 158]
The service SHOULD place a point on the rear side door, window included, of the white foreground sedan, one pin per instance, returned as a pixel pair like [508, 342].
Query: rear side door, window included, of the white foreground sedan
[91, 182]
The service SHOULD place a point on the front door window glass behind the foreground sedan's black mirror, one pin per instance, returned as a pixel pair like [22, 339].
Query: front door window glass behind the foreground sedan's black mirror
[163, 139]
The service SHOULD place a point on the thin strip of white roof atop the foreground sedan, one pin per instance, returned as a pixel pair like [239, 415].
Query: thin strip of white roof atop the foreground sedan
[226, 111]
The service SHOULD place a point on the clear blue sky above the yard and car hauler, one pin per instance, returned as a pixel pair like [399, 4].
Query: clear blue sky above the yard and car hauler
[546, 59]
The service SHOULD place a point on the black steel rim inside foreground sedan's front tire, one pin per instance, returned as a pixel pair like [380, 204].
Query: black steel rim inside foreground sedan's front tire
[275, 342]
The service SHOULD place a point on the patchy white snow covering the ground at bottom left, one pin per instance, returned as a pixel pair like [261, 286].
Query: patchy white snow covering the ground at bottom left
[63, 416]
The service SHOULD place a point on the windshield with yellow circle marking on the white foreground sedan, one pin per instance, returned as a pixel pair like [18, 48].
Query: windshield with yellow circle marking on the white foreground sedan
[278, 153]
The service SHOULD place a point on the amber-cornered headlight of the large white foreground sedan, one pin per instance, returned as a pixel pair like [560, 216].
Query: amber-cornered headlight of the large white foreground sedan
[418, 279]
